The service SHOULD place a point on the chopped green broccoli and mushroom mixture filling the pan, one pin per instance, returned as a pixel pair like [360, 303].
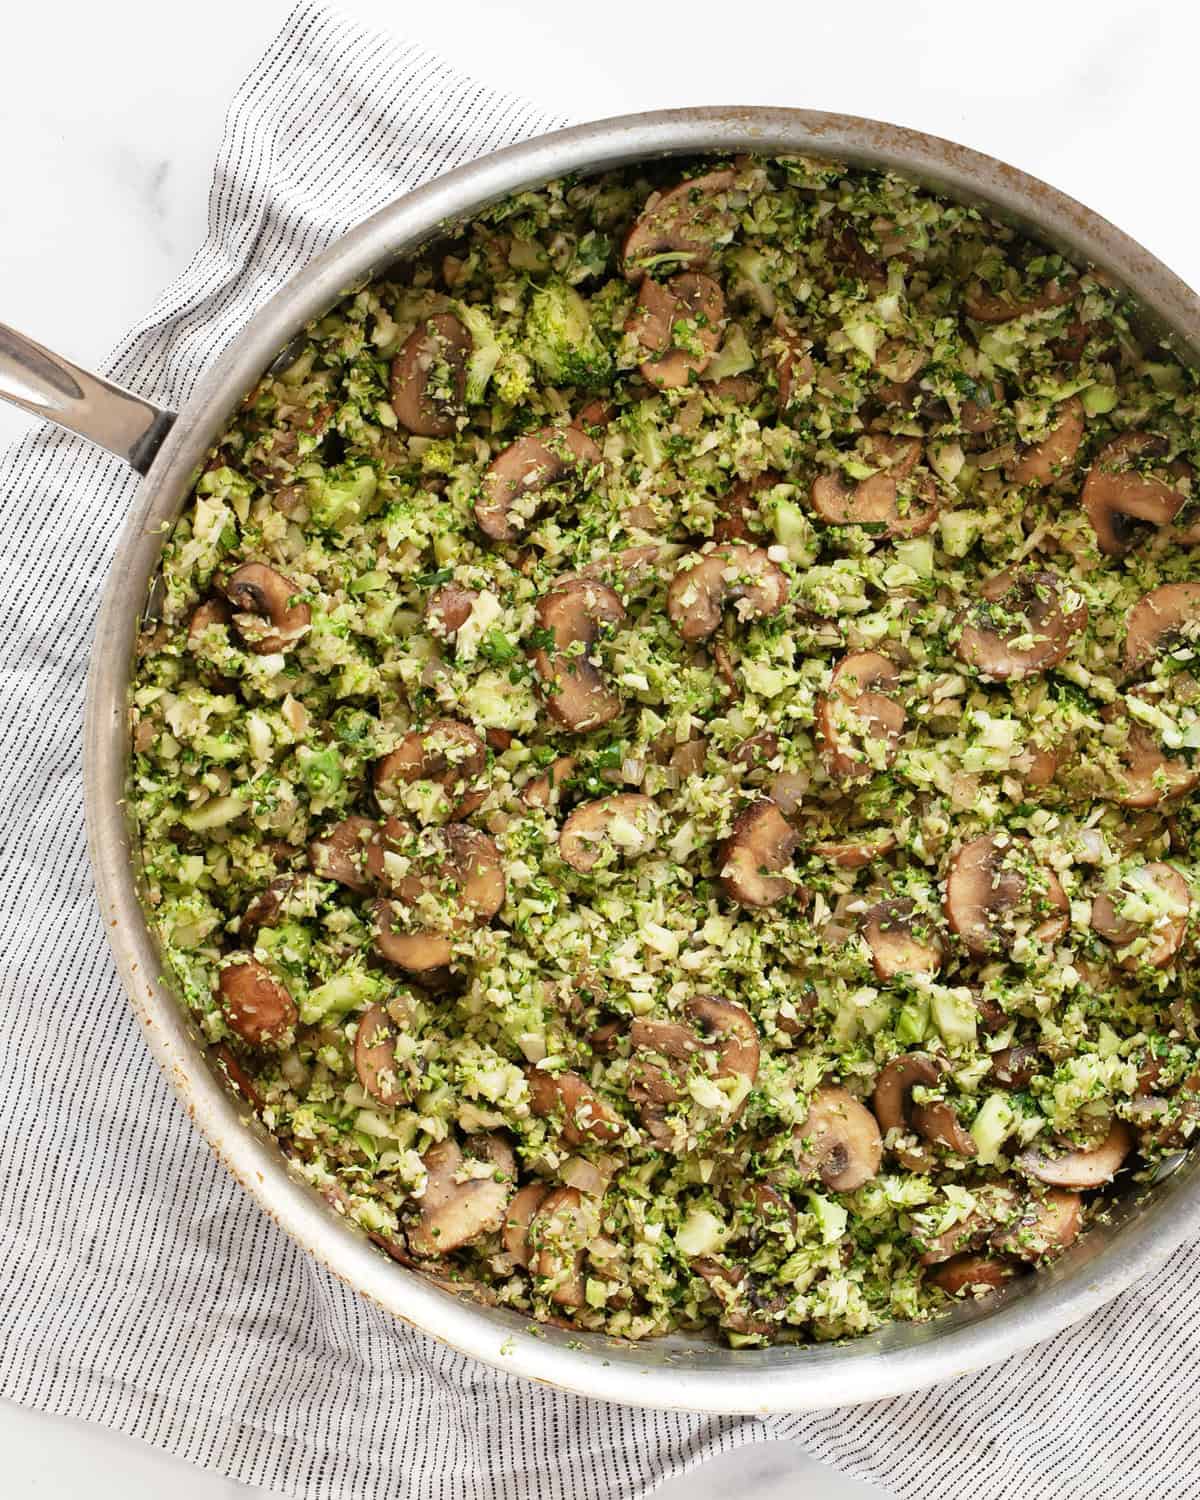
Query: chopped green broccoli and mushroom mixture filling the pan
[665, 763]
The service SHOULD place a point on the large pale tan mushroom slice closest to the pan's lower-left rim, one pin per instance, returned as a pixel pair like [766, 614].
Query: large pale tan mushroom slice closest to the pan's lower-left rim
[466, 1195]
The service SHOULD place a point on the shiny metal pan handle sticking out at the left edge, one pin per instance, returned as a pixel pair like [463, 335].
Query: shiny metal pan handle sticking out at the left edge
[44, 383]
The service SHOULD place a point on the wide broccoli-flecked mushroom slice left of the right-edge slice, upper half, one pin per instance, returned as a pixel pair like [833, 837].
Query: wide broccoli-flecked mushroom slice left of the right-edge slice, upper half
[1024, 625]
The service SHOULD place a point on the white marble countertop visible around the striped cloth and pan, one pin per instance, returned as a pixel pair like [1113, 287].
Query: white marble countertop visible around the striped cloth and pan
[112, 116]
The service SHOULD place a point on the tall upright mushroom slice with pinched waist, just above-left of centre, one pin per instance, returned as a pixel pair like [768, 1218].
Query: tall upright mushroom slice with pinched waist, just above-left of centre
[571, 683]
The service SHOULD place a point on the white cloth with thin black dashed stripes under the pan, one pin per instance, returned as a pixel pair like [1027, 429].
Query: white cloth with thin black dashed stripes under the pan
[139, 1286]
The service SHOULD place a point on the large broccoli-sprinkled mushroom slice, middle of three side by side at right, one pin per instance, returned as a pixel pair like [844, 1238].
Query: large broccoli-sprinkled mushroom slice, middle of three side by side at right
[994, 886]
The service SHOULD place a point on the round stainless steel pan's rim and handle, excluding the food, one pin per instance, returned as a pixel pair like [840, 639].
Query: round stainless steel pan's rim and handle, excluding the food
[1147, 1226]
